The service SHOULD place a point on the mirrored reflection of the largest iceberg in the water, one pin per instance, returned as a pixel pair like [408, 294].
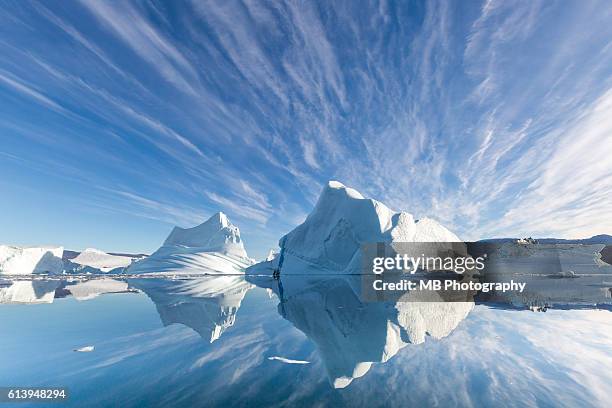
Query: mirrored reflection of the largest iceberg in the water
[351, 333]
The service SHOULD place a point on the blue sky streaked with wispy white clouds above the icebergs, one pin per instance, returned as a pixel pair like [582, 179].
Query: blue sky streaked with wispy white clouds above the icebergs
[121, 119]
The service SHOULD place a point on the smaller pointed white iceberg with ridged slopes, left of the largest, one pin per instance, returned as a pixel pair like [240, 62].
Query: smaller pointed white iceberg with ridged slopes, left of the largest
[213, 247]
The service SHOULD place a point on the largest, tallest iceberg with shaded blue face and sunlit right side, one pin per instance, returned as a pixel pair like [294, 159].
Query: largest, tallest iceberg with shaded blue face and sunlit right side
[329, 240]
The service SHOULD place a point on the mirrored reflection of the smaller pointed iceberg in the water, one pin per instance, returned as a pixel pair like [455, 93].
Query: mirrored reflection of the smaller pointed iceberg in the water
[206, 305]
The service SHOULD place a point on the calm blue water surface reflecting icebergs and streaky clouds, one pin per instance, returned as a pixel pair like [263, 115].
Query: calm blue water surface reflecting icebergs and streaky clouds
[223, 341]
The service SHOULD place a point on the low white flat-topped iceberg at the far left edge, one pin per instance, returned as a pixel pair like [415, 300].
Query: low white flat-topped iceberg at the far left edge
[30, 260]
